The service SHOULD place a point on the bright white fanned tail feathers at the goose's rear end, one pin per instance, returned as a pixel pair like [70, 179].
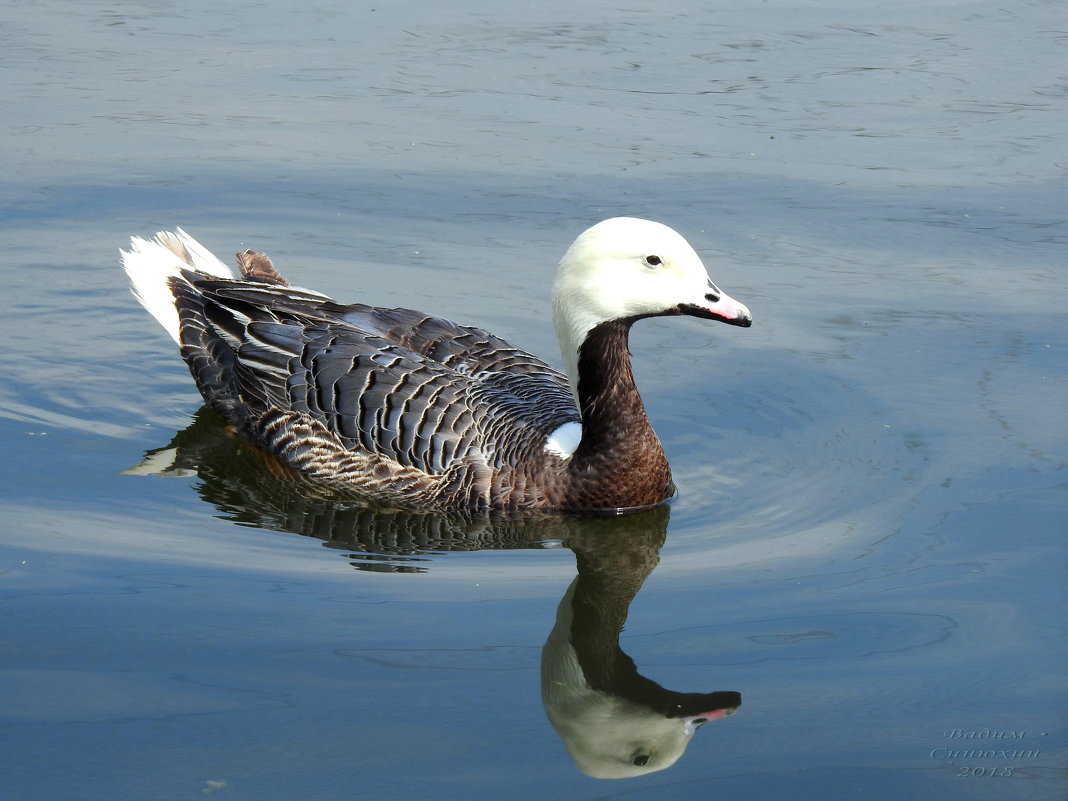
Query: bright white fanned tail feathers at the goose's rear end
[151, 263]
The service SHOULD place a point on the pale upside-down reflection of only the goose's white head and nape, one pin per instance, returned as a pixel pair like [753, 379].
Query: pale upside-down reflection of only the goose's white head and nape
[608, 736]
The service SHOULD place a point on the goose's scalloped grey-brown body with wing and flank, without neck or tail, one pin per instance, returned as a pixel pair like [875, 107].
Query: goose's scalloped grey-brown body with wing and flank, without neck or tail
[392, 399]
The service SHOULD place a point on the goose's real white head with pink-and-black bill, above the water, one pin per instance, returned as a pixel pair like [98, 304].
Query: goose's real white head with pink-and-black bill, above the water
[629, 269]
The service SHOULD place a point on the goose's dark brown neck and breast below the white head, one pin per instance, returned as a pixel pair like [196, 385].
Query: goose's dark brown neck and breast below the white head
[620, 462]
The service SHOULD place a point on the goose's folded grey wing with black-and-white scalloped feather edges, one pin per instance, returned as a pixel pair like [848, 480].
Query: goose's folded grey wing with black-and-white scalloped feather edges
[421, 391]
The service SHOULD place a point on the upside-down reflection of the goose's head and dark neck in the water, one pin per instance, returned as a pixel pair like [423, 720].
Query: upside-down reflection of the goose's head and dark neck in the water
[615, 723]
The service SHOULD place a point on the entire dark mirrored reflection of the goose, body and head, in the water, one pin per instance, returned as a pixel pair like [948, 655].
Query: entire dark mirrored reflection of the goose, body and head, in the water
[614, 721]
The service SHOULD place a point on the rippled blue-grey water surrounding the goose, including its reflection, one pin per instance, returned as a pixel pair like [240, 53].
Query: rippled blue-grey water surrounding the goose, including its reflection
[869, 544]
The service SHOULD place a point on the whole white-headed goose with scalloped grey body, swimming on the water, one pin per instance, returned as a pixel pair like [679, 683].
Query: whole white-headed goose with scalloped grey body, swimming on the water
[409, 411]
